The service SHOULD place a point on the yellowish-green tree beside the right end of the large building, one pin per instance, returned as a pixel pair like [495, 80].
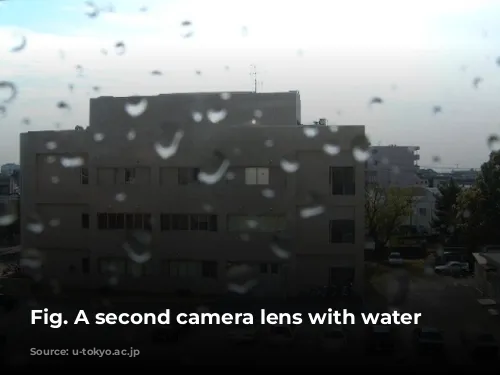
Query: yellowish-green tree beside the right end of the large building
[385, 211]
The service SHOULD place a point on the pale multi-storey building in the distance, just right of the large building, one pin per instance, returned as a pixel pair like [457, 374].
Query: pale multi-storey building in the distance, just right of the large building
[394, 166]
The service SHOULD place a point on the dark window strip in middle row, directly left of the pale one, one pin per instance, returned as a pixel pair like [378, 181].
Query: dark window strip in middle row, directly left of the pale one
[192, 222]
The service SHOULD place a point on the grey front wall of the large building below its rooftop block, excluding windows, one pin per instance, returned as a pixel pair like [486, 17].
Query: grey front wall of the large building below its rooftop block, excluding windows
[54, 196]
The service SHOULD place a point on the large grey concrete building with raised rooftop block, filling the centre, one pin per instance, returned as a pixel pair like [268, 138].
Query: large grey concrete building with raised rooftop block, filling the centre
[139, 200]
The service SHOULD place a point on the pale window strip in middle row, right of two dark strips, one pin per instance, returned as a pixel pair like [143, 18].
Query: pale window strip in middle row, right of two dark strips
[260, 223]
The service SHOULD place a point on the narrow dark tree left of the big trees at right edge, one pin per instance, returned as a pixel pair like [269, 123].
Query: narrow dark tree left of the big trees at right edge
[445, 221]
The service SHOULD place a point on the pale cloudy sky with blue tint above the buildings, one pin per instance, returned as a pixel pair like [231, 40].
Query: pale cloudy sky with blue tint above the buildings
[339, 54]
